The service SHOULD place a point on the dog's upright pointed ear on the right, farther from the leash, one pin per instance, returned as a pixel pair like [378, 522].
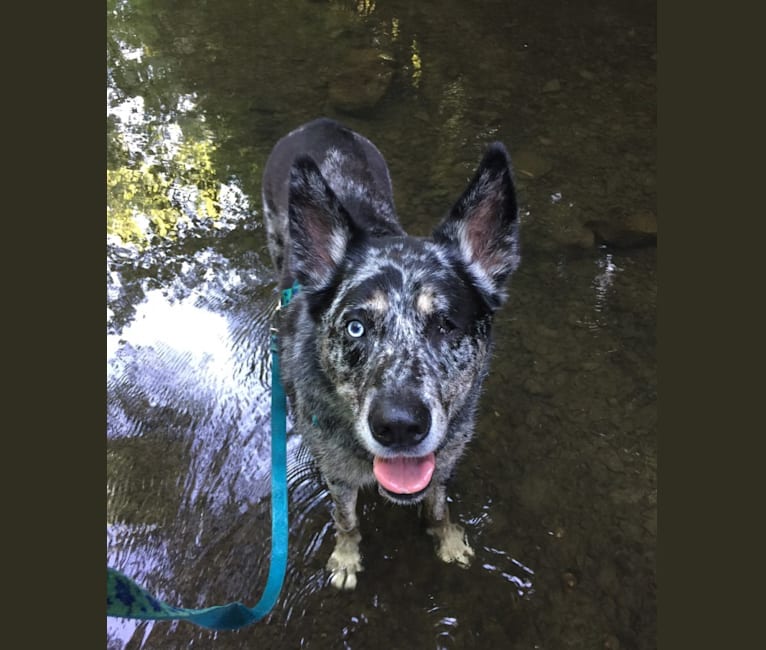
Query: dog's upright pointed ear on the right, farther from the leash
[484, 227]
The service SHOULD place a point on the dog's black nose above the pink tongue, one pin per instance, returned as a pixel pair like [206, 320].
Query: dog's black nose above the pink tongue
[399, 421]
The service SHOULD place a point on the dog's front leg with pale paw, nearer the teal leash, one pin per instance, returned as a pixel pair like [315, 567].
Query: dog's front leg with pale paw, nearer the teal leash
[346, 560]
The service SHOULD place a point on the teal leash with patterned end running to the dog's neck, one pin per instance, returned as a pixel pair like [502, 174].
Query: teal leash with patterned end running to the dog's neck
[125, 599]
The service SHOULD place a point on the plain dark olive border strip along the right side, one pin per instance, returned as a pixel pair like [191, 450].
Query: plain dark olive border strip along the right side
[706, 530]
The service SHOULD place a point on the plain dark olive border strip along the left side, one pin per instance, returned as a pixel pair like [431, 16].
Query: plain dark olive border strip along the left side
[55, 237]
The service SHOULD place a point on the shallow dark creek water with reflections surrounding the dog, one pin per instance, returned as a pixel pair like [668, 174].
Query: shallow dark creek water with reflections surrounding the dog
[558, 489]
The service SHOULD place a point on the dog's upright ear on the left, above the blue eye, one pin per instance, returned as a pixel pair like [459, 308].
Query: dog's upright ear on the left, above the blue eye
[320, 228]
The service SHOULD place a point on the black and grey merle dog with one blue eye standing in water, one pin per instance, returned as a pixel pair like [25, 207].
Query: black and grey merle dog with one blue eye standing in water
[387, 340]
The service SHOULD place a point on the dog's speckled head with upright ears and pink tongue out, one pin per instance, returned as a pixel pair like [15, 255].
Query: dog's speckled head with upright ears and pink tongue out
[403, 324]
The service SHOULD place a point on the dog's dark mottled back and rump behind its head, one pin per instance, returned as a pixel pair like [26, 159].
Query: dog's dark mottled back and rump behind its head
[352, 166]
